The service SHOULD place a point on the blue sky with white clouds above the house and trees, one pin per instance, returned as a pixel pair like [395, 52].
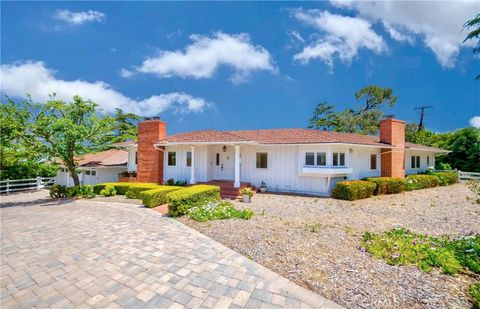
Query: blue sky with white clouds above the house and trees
[247, 65]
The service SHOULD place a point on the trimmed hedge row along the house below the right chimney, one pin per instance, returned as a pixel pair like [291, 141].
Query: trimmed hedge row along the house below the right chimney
[357, 189]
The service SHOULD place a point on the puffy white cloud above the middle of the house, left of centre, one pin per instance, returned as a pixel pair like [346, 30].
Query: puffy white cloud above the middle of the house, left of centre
[206, 54]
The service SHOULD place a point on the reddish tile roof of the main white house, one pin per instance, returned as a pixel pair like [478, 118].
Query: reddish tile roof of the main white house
[282, 136]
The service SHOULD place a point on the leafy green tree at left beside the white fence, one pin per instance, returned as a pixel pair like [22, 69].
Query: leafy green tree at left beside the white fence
[58, 130]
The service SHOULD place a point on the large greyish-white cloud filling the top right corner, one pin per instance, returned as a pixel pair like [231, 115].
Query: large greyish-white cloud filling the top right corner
[438, 23]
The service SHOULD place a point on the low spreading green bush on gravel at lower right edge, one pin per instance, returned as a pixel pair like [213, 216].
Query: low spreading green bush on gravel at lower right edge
[402, 247]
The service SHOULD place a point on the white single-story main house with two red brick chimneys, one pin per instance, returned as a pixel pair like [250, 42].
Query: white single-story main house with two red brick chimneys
[285, 160]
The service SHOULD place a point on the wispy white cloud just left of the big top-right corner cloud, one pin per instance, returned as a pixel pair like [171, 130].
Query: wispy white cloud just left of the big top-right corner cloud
[339, 35]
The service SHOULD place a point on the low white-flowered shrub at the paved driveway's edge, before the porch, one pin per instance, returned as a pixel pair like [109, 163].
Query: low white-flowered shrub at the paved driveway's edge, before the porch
[218, 210]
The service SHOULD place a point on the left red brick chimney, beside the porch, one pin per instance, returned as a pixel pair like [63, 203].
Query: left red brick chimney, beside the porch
[149, 158]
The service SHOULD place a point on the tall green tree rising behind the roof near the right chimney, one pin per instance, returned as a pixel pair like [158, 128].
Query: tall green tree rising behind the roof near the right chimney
[363, 119]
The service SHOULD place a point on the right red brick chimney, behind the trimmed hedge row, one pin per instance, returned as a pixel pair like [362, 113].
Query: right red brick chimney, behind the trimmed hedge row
[392, 131]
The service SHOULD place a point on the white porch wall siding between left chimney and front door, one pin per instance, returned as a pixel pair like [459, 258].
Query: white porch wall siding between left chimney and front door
[181, 171]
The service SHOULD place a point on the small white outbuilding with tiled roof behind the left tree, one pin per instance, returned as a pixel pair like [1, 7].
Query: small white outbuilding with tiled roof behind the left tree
[96, 168]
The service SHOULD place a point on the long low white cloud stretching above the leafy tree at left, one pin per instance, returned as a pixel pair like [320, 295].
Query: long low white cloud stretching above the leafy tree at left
[39, 81]
